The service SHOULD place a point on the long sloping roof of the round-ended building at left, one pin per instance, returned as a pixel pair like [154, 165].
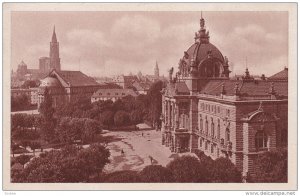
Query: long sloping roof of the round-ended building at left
[75, 78]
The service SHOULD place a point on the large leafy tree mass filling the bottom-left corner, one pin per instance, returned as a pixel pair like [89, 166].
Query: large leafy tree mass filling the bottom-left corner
[70, 164]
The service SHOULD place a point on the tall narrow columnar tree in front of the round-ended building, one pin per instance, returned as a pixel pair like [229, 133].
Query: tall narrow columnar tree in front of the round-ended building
[48, 121]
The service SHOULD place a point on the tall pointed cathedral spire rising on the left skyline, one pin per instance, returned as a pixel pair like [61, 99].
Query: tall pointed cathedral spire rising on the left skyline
[54, 52]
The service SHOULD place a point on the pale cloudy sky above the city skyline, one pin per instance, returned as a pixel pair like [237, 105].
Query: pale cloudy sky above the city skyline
[113, 43]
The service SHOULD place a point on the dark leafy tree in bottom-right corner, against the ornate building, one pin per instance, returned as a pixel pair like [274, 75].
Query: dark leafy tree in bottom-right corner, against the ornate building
[270, 166]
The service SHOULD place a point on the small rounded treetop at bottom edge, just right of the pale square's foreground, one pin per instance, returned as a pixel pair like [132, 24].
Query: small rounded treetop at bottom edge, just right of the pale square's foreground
[156, 173]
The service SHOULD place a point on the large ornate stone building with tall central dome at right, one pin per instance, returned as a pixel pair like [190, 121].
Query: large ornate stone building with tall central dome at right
[236, 118]
